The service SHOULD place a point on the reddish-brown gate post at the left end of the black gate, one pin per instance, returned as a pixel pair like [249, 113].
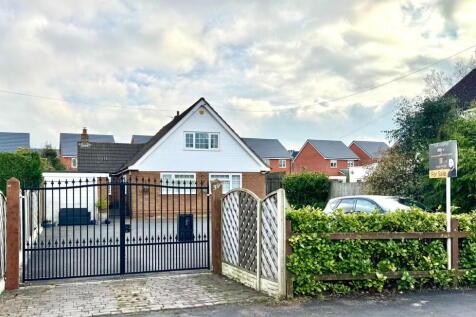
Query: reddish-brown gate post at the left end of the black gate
[12, 274]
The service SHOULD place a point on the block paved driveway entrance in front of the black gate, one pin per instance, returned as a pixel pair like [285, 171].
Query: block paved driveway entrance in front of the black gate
[125, 295]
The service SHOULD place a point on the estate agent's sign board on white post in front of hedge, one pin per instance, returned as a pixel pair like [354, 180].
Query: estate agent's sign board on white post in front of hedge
[444, 164]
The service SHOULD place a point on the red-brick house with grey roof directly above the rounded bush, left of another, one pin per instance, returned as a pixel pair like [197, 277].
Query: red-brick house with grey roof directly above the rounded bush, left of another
[332, 158]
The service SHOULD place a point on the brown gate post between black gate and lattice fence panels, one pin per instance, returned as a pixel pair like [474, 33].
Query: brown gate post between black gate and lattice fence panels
[217, 196]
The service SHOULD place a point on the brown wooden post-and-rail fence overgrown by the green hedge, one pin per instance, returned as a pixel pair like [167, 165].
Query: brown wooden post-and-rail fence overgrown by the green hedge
[454, 235]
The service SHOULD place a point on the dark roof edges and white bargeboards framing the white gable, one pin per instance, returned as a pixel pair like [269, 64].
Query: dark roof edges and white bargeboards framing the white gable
[169, 126]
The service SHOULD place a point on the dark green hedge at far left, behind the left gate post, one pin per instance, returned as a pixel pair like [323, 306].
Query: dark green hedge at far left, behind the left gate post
[25, 166]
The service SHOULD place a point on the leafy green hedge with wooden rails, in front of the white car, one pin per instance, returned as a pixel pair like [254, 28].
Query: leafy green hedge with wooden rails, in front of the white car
[314, 253]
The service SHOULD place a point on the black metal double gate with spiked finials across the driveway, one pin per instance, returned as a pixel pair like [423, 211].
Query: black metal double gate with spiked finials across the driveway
[98, 227]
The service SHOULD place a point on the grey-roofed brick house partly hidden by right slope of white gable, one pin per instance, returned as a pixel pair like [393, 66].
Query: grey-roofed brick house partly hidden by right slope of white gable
[272, 152]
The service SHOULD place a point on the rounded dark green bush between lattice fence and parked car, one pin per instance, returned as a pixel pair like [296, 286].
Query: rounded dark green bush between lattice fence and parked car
[306, 189]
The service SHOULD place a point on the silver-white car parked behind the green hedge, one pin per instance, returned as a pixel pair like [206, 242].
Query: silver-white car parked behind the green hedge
[371, 203]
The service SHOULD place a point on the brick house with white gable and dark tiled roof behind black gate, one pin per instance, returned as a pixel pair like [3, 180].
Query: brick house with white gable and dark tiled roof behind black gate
[196, 146]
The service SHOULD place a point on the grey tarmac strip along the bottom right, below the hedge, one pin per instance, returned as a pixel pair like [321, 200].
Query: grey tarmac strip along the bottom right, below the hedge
[435, 303]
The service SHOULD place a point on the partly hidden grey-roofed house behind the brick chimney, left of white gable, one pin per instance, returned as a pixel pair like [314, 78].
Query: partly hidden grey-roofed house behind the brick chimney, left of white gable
[69, 146]
